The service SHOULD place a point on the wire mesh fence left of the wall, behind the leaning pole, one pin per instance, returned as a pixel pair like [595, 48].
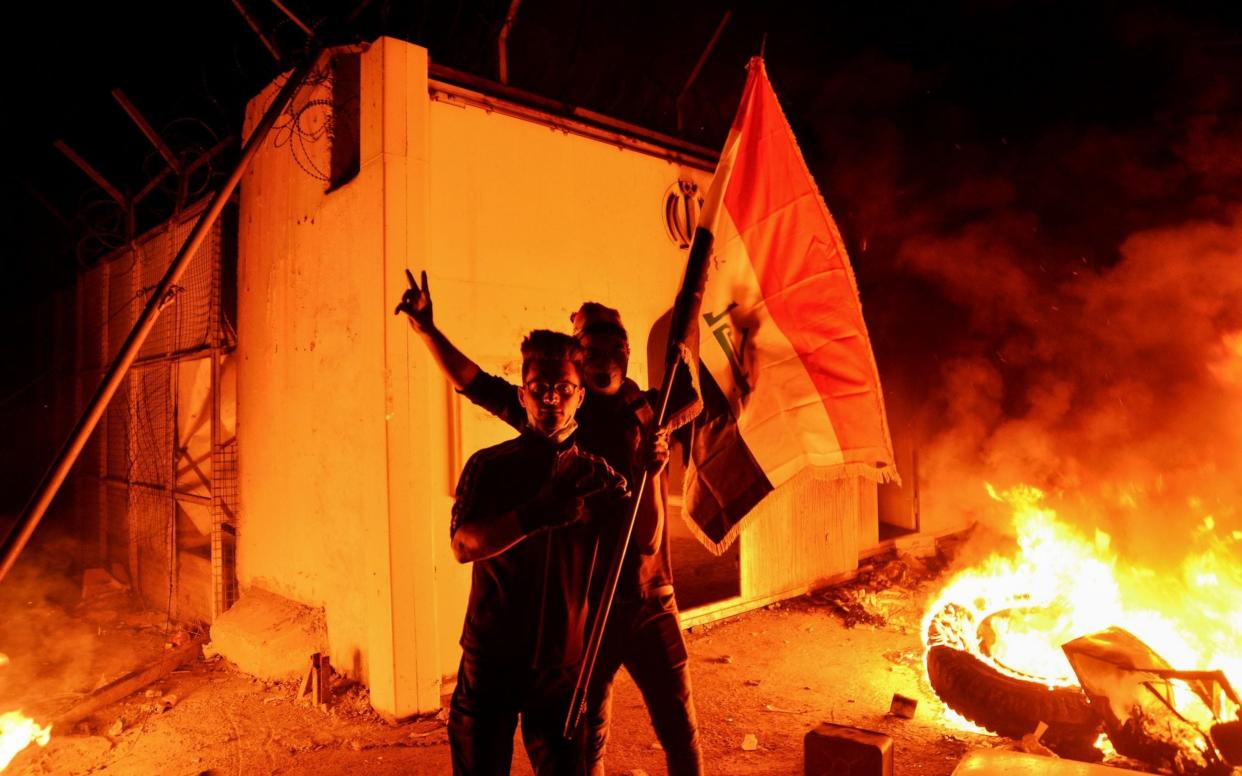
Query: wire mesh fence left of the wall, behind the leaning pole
[158, 476]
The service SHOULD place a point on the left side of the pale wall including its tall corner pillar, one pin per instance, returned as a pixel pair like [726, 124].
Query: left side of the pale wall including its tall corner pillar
[333, 474]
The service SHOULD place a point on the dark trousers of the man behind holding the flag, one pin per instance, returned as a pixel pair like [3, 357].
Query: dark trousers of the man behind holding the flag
[645, 636]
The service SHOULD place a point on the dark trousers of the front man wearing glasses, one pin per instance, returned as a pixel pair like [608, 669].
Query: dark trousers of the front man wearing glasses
[484, 715]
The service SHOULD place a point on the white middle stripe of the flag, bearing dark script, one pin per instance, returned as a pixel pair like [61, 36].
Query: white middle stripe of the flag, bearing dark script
[784, 417]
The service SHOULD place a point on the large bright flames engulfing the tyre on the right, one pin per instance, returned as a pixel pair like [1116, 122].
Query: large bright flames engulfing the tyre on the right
[1061, 584]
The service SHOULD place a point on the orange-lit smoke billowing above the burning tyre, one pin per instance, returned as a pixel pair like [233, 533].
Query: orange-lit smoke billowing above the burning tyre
[1116, 390]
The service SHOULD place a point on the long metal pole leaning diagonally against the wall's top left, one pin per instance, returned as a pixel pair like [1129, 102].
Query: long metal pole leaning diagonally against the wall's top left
[160, 300]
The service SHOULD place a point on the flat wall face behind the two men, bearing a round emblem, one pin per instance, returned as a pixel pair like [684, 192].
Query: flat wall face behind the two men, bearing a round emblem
[528, 223]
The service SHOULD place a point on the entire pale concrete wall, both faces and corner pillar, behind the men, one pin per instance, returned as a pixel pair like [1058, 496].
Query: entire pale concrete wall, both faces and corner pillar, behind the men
[350, 440]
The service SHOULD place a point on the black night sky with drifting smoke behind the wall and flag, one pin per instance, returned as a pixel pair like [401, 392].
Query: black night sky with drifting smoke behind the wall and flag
[988, 163]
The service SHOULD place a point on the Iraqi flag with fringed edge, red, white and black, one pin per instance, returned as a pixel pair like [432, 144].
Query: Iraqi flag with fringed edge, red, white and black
[788, 376]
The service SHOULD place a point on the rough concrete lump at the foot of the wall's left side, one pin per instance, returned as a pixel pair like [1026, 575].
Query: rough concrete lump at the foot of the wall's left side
[270, 636]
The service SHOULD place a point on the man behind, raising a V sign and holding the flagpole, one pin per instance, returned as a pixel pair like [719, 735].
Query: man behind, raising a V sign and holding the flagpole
[617, 423]
